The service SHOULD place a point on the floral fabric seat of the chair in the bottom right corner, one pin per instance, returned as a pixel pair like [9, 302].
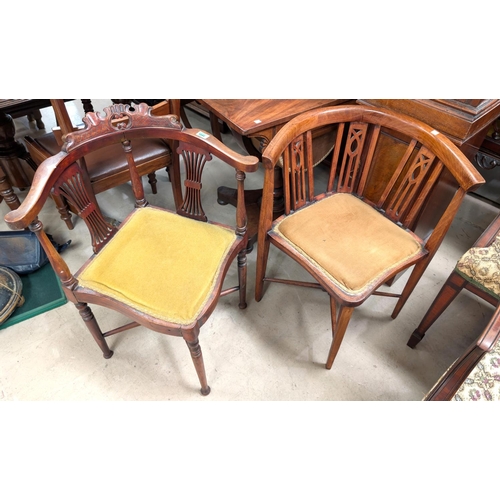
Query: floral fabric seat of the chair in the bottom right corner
[483, 383]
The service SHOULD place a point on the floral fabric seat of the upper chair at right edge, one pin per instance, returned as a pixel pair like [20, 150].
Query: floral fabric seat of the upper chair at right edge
[482, 265]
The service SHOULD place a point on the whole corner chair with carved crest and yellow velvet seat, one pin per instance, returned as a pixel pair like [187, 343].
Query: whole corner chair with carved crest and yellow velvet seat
[174, 294]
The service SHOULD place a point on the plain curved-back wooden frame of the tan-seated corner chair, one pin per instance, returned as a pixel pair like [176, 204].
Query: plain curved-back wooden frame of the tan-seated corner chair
[400, 190]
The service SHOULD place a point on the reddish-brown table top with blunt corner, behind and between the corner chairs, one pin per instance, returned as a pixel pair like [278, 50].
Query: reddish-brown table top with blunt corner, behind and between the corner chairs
[249, 116]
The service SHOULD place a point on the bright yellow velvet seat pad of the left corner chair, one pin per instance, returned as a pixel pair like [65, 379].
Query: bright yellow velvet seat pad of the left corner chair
[161, 264]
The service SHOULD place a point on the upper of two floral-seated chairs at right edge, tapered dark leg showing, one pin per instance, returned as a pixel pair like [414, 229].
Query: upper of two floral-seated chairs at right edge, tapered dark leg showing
[478, 271]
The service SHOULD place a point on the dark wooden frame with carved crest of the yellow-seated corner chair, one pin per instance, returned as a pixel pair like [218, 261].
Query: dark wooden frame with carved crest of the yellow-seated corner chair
[64, 176]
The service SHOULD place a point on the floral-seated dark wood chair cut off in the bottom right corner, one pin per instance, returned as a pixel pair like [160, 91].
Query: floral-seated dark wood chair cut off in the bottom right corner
[475, 376]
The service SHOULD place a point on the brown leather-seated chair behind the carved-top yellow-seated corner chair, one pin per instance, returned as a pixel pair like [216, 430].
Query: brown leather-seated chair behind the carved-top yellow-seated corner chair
[107, 168]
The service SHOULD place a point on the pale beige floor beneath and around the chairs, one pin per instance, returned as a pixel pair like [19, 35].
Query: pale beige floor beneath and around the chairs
[273, 350]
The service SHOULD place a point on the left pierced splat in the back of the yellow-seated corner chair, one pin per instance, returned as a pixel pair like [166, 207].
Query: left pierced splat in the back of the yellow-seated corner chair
[74, 186]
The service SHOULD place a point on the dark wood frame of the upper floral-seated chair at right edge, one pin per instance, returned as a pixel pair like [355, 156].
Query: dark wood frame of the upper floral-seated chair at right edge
[454, 285]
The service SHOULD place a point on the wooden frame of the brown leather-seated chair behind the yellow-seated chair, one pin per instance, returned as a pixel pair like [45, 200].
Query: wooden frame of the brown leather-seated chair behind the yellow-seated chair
[148, 166]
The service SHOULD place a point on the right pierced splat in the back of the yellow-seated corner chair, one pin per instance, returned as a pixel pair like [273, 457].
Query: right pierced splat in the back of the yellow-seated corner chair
[195, 159]
